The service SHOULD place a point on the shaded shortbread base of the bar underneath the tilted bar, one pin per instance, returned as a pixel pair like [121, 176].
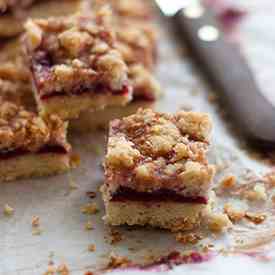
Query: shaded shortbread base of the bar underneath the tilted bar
[88, 121]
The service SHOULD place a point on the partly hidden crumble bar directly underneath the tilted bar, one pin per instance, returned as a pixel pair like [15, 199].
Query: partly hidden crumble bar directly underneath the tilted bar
[146, 92]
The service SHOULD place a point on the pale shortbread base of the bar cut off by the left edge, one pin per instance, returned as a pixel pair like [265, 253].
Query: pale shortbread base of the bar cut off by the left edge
[33, 165]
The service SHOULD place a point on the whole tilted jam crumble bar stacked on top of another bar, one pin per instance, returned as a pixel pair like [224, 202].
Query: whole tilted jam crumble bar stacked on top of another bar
[75, 65]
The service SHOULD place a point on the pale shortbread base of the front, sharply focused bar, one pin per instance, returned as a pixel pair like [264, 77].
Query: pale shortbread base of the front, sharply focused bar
[167, 215]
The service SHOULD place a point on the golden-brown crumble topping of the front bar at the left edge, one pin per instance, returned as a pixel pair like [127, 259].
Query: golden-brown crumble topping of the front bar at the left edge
[21, 129]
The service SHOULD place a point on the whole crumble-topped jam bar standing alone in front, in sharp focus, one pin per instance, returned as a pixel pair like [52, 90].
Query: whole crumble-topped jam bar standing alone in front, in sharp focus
[156, 171]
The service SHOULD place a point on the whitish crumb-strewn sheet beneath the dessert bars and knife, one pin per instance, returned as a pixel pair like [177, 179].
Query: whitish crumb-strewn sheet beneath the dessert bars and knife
[64, 238]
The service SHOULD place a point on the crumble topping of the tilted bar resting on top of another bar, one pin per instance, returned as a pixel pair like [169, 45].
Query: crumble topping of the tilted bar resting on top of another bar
[75, 54]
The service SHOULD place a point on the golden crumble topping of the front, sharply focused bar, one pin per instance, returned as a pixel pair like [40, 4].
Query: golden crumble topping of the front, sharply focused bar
[150, 151]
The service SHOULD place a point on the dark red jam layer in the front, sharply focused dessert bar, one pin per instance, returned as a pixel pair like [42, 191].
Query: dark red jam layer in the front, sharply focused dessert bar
[124, 194]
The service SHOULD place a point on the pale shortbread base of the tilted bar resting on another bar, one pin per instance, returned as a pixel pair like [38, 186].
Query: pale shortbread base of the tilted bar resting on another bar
[69, 107]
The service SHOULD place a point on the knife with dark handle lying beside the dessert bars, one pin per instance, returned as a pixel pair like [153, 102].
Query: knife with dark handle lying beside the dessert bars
[224, 65]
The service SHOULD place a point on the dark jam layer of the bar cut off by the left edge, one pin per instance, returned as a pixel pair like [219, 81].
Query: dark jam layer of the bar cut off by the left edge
[20, 152]
